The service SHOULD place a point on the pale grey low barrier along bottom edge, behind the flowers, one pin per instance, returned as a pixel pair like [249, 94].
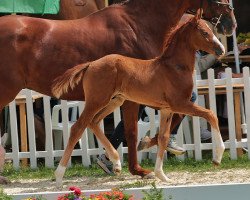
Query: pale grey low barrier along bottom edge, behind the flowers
[194, 192]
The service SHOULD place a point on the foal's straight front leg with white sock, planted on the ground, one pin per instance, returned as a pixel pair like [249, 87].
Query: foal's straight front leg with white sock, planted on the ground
[163, 139]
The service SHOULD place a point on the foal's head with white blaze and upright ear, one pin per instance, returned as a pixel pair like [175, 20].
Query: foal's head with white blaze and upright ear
[203, 37]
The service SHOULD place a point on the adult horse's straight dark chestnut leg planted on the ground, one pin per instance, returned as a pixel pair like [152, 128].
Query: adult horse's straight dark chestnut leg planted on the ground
[130, 118]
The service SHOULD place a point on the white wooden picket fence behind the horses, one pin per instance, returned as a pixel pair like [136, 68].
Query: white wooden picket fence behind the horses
[194, 146]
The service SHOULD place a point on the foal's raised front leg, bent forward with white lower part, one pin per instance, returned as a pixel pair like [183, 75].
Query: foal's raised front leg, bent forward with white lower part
[195, 110]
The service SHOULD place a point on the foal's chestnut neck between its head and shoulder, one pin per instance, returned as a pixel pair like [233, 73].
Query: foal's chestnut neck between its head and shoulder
[179, 51]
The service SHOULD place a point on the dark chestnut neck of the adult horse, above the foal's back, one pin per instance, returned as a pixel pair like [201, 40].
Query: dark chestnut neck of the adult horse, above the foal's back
[155, 18]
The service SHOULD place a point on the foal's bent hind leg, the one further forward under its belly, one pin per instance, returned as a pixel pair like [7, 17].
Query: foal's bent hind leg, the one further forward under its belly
[94, 125]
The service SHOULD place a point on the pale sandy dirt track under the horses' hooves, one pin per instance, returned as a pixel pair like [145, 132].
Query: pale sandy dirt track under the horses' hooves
[125, 179]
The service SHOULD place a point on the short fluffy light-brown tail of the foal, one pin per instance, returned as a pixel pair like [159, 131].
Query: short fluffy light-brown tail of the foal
[69, 79]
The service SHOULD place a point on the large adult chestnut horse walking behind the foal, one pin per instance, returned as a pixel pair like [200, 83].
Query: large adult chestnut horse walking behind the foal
[33, 52]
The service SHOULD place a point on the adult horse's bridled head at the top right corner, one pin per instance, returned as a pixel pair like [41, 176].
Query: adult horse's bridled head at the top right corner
[218, 12]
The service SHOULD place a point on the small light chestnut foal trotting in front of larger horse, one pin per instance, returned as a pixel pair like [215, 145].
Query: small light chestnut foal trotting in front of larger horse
[110, 80]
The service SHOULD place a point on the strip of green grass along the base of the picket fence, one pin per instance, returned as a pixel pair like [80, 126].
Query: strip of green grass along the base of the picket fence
[173, 164]
